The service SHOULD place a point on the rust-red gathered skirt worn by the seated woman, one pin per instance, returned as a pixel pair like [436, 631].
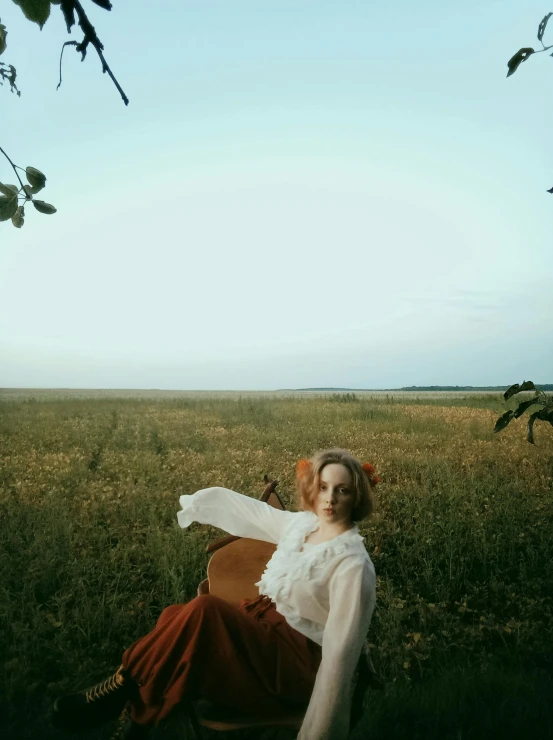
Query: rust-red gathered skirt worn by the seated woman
[247, 658]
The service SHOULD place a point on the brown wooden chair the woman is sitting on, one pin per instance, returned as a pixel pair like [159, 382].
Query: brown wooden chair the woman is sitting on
[236, 564]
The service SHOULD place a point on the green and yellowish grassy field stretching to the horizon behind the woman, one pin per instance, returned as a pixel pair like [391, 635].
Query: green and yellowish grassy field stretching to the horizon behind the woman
[91, 552]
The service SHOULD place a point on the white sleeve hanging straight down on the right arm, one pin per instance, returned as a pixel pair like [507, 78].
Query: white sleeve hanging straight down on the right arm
[352, 593]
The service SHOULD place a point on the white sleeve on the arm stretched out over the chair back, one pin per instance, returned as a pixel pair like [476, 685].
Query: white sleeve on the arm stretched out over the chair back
[234, 512]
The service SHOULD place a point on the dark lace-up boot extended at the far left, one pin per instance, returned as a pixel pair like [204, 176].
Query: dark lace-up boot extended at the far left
[92, 707]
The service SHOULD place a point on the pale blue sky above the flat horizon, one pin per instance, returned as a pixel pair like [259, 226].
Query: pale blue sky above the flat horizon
[299, 194]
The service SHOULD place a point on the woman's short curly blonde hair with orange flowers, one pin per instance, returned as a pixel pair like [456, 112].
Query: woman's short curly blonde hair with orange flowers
[307, 483]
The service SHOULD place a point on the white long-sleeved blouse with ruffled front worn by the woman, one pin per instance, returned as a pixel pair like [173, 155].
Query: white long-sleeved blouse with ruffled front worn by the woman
[326, 591]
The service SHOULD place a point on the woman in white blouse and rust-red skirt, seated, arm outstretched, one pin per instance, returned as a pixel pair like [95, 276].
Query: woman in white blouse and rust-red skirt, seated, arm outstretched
[296, 645]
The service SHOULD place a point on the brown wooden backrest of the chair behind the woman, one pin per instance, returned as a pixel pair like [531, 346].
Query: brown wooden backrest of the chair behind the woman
[237, 563]
